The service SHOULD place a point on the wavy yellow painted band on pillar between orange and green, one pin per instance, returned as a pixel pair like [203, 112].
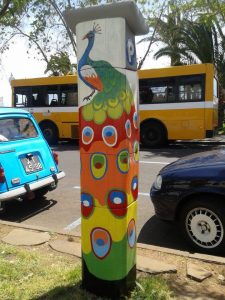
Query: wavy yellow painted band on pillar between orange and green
[102, 217]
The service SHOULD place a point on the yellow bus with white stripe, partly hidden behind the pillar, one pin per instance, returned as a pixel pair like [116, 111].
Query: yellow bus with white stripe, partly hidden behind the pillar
[176, 103]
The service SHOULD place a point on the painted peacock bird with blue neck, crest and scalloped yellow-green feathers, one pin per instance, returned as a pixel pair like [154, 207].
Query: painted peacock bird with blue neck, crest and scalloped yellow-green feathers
[110, 94]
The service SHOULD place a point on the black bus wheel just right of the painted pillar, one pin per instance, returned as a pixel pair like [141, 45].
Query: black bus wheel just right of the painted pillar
[153, 134]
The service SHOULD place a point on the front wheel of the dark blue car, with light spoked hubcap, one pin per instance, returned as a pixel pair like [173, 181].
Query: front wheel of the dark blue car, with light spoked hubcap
[202, 222]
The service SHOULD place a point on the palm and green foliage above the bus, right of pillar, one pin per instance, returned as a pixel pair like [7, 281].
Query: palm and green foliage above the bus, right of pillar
[192, 31]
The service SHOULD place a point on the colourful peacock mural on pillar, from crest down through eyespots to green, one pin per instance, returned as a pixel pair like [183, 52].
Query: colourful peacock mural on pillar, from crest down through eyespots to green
[109, 146]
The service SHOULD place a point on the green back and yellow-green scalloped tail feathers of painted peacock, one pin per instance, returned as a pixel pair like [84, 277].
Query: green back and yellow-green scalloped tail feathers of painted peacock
[115, 98]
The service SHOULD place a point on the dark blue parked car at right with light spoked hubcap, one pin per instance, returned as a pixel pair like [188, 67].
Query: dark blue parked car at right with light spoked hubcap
[191, 191]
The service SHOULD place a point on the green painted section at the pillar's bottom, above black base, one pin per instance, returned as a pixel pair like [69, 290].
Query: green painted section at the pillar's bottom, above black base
[116, 265]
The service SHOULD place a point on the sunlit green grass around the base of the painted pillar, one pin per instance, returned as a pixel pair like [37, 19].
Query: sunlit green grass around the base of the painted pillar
[25, 274]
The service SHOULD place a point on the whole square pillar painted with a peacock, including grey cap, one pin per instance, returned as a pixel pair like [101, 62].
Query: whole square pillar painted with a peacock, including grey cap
[109, 143]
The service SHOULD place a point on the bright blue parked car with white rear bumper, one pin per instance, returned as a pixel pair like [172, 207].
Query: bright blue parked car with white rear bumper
[28, 167]
